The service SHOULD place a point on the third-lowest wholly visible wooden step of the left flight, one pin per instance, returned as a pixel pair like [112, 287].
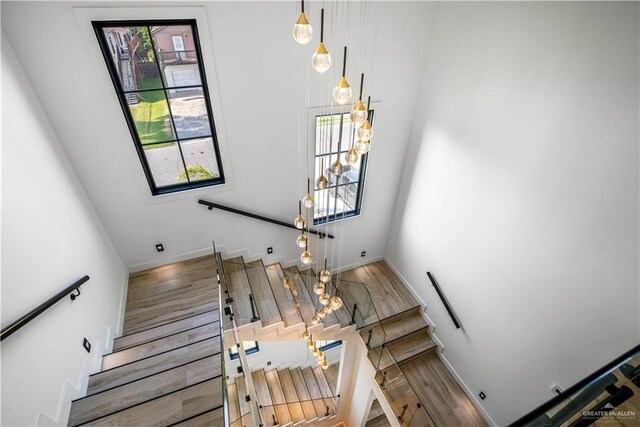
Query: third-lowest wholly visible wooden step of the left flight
[160, 345]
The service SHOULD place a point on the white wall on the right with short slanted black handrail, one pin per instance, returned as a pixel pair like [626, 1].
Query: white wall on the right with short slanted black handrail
[520, 193]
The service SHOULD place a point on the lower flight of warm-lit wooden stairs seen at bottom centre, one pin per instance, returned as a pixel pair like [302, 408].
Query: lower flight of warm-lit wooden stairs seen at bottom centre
[287, 396]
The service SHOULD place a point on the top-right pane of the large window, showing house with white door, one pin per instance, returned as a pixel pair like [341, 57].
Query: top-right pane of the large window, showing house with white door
[175, 50]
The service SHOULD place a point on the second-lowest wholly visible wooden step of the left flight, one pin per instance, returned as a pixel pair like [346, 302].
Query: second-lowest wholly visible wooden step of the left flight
[152, 365]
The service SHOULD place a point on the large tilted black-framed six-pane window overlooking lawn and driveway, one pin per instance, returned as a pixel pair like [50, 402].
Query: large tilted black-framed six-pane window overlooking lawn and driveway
[157, 71]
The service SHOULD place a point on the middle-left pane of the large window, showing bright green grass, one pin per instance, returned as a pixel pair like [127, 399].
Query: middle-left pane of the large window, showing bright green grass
[150, 113]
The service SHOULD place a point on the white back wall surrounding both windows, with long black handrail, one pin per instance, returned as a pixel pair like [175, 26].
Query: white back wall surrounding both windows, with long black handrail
[262, 111]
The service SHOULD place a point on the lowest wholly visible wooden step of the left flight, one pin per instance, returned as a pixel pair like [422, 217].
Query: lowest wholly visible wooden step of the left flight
[133, 393]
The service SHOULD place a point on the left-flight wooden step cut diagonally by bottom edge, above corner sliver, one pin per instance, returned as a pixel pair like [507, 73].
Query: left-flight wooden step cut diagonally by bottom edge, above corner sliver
[168, 409]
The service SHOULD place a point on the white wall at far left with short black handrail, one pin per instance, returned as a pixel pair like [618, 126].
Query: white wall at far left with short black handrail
[51, 236]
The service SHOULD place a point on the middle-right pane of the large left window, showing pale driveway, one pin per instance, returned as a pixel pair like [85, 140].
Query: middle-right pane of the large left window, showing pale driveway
[189, 112]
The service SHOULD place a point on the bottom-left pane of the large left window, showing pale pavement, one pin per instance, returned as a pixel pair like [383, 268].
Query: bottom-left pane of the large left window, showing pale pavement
[165, 163]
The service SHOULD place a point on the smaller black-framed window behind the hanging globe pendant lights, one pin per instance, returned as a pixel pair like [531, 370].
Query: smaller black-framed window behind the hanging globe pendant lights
[343, 196]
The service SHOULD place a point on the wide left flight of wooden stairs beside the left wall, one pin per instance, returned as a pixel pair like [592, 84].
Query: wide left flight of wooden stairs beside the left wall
[166, 368]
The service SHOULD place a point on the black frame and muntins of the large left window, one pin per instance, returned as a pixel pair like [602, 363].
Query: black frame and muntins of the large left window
[98, 27]
